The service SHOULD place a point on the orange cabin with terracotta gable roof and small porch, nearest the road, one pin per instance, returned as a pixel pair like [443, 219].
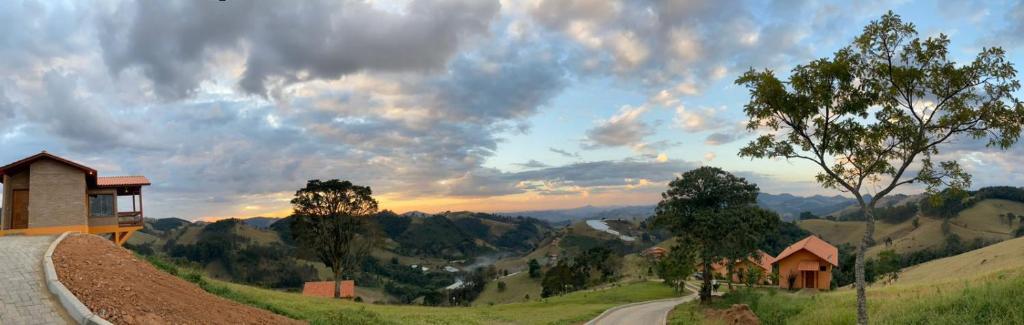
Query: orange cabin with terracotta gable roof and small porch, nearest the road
[808, 264]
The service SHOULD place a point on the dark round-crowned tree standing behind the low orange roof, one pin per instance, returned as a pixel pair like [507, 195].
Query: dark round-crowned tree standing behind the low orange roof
[331, 221]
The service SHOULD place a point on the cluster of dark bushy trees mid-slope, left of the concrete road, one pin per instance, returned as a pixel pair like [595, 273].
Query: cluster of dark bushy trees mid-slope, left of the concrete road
[594, 266]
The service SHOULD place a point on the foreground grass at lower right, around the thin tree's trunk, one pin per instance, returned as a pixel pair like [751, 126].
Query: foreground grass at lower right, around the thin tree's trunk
[986, 287]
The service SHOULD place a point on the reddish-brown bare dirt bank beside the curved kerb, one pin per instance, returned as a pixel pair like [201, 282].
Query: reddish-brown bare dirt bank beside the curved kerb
[124, 291]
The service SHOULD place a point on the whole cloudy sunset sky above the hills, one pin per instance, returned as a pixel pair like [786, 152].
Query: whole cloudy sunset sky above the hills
[230, 107]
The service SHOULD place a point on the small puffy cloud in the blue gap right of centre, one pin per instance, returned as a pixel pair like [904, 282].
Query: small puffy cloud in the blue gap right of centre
[625, 129]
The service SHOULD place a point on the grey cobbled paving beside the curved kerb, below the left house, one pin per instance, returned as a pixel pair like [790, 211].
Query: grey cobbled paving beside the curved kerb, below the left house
[24, 297]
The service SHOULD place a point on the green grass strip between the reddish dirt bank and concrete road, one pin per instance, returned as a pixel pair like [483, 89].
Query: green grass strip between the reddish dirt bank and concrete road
[570, 309]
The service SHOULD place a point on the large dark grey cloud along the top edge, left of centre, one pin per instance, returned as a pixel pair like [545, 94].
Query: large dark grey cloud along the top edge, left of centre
[285, 43]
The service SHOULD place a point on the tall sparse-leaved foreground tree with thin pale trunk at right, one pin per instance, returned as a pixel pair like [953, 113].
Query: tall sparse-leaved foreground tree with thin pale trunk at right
[877, 112]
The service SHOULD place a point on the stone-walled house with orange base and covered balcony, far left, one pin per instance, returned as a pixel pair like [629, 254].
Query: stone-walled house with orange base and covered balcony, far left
[46, 194]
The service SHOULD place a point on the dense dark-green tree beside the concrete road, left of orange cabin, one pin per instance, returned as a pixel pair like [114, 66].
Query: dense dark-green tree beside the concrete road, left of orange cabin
[715, 214]
